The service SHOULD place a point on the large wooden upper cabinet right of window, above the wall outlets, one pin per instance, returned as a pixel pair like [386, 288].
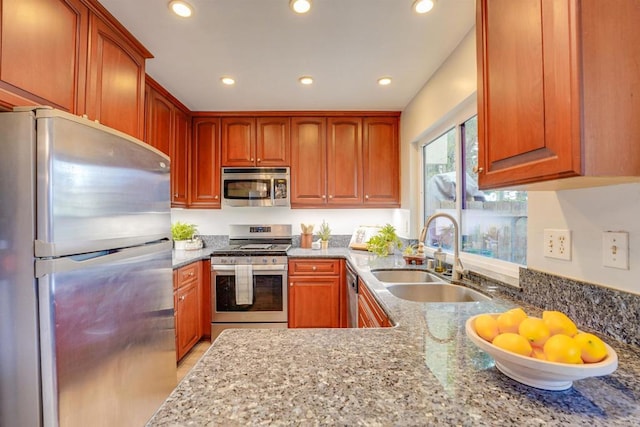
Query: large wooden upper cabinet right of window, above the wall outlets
[555, 100]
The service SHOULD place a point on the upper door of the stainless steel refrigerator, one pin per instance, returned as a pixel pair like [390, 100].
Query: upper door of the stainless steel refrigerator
[97, 188]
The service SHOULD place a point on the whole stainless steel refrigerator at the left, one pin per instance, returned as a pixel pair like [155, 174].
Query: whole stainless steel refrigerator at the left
[86, 297]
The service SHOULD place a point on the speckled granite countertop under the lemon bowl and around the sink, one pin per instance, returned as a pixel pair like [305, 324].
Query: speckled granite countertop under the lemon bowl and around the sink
[423, 371]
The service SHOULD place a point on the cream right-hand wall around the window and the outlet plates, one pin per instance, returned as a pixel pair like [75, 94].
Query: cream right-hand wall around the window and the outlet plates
[586, 212]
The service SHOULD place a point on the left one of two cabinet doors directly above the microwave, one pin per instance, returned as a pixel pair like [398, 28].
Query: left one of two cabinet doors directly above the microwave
[238, 141]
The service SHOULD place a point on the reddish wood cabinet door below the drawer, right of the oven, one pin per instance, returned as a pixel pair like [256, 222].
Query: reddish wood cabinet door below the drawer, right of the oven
[314, 302]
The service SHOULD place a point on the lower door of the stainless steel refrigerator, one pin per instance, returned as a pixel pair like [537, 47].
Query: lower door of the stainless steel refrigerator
[108, 337]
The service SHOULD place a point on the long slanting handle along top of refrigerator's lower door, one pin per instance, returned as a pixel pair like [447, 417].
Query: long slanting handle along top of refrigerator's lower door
[45, 267]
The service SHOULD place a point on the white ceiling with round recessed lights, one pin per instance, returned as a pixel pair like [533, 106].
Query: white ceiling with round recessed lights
[346, 45]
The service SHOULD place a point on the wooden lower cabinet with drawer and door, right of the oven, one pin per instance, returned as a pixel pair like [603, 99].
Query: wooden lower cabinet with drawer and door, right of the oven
[315, 287]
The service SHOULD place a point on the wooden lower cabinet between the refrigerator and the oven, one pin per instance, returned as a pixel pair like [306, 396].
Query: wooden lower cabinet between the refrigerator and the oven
[187, 307]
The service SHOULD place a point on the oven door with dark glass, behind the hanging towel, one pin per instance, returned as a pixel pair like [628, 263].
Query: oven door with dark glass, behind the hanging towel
[269, 295]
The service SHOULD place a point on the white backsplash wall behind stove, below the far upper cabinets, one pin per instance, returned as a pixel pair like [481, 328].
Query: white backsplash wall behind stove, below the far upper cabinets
[341, 221]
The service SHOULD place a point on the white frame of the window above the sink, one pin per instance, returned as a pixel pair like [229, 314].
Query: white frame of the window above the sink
[503, 271]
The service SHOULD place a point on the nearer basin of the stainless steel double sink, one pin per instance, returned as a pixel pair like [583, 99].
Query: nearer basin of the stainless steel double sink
[435, 292]
